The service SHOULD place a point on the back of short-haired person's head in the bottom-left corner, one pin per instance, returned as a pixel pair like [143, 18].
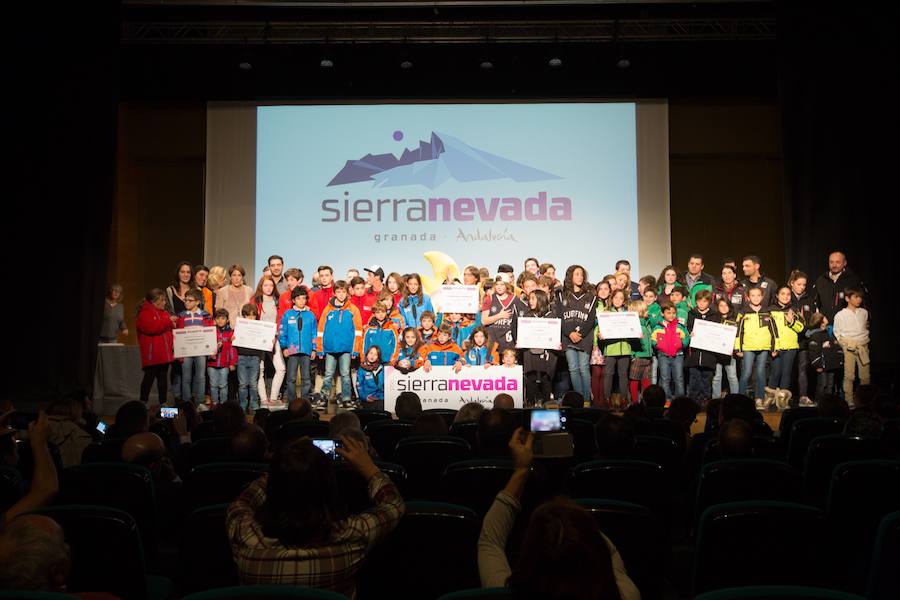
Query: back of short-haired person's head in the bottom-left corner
[34, 555]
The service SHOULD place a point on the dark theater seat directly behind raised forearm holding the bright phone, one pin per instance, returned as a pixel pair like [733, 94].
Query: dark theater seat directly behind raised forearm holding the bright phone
[475, 483]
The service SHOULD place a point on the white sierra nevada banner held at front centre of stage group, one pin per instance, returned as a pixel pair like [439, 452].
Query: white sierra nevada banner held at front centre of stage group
[442, 388]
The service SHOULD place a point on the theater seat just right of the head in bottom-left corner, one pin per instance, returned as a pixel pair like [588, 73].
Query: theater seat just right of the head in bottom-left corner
[106, 553]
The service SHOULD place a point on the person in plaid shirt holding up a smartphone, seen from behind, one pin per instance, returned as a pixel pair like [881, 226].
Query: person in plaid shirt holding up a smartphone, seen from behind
[285, 528]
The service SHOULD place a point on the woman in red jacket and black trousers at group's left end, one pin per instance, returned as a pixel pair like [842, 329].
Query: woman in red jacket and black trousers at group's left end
[154, 327]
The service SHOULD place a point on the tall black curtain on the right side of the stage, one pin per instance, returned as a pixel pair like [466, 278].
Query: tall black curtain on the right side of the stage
[838, 85]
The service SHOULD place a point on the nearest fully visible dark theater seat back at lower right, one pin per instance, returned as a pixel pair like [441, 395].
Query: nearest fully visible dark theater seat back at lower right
[761, 543]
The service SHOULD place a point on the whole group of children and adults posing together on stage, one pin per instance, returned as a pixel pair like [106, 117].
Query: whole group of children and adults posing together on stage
[354, 327]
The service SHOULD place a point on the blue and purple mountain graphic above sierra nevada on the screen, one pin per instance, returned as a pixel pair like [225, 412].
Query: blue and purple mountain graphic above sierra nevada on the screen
[432, 163]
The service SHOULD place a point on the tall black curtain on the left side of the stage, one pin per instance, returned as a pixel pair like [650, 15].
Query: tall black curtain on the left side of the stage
[61, 119]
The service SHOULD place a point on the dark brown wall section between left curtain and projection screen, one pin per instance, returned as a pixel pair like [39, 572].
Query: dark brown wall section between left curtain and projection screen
[158, 205]
